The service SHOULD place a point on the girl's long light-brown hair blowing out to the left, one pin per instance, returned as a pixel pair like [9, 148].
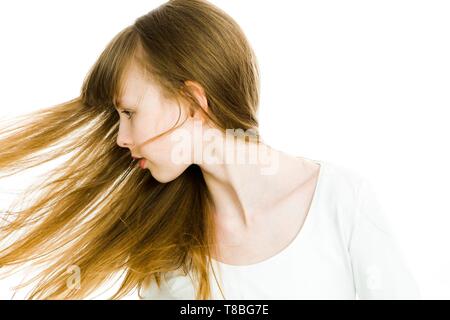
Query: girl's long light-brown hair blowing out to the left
[97, 210]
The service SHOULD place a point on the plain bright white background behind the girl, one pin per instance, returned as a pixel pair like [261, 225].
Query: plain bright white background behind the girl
[363, 84]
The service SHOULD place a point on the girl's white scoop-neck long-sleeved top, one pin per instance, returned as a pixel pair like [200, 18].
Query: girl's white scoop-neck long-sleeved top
[344, 250]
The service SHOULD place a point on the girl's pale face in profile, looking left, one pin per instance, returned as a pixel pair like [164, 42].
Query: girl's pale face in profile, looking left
[145, 113]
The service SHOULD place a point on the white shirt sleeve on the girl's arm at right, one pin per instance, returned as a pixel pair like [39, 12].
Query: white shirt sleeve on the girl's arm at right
[379, 268]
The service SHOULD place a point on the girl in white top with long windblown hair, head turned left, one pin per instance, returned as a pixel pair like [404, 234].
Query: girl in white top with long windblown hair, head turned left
[169, 181]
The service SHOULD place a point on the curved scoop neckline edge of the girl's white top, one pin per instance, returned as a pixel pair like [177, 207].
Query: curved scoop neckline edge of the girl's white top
[300, 234]
